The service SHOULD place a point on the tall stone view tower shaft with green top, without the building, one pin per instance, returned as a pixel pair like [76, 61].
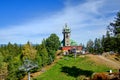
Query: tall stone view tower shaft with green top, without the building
[66, 35]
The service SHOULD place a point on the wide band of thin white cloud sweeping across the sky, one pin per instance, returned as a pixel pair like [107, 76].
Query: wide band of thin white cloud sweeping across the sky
[87, 21]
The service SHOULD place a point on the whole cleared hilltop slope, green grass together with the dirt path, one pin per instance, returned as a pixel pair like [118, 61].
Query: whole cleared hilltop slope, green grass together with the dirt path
[68, 68]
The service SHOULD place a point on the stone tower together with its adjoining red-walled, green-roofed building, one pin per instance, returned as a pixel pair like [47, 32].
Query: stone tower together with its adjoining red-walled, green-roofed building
[67, 43]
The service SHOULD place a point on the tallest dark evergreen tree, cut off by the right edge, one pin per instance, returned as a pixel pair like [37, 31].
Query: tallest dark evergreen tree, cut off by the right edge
[114, 27]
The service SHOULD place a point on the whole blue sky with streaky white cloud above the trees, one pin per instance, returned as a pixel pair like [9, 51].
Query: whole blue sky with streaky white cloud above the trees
[33, 20]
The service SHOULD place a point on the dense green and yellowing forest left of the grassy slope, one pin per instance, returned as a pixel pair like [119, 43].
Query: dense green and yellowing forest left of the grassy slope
[12, 56]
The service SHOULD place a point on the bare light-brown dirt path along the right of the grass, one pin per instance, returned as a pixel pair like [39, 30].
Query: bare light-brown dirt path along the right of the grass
[103, 60]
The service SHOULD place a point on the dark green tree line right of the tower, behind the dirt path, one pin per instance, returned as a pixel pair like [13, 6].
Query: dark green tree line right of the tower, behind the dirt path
[110, 42]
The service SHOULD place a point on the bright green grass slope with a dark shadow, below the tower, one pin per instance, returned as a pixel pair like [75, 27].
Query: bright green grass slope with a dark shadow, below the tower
[69, 68]
